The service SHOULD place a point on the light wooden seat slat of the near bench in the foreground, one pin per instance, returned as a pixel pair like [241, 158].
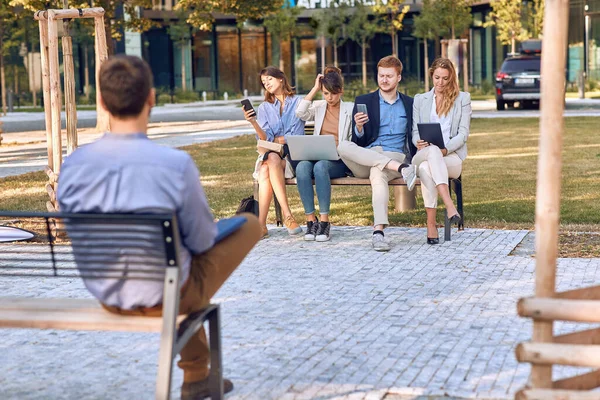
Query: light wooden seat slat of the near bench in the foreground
[70, 314]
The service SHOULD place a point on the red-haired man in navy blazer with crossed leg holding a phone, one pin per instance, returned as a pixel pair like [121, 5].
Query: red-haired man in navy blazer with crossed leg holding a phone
[381, 143]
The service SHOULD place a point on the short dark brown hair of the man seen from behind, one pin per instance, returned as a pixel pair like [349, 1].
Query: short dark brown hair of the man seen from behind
[125, 83]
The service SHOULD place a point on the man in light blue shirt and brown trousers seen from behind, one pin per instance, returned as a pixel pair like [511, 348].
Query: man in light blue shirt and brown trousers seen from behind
[125, 172]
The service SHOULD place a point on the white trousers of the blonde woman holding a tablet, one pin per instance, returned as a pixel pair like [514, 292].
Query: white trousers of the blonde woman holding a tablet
[434, 169]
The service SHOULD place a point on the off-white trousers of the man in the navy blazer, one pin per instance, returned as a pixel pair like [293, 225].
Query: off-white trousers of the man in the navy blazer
[370, 163]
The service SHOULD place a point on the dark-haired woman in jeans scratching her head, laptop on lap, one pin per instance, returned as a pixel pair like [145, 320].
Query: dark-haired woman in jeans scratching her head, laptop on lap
[332, 116]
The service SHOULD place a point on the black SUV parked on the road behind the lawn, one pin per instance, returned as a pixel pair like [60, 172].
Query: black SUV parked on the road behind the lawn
[519, 77]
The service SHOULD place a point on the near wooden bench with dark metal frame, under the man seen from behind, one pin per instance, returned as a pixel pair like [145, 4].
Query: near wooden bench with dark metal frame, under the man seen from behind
[137, 247]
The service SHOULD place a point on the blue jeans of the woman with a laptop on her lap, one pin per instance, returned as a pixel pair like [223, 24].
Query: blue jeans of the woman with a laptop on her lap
[322, 171]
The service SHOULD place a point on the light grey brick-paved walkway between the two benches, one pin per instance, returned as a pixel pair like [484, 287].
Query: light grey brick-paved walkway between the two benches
[322, 321]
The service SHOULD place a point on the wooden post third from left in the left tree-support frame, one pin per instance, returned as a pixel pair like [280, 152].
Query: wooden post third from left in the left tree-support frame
[69, 77]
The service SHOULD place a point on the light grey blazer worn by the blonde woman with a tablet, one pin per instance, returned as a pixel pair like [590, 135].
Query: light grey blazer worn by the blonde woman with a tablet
[461, 120]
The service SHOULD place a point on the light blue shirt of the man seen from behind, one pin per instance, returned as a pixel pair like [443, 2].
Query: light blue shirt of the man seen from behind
[131, 174]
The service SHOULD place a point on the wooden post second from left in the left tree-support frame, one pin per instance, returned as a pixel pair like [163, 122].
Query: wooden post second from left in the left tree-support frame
[55, 97]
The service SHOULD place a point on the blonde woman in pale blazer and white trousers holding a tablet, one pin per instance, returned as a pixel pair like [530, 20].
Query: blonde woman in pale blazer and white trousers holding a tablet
[452, 109]
